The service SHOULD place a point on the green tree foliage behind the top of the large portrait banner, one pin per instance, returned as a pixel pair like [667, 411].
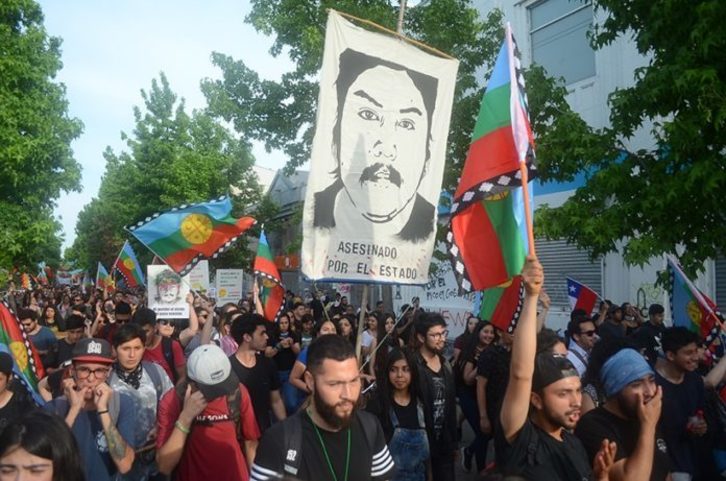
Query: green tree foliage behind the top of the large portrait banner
[282, 114]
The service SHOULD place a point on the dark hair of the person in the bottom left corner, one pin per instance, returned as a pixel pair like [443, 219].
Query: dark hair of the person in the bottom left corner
[45, 435]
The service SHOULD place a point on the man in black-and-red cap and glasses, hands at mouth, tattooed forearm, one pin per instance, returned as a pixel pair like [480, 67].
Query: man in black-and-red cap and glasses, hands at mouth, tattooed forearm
[102, 420]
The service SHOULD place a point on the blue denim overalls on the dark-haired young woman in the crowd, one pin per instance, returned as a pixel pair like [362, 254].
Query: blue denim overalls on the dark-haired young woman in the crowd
[409, 448]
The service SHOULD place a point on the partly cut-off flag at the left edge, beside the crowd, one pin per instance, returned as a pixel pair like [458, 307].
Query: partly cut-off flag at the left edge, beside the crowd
[13, 340]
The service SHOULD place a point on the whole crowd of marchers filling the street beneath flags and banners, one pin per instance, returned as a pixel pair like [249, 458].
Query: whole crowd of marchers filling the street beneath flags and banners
[229, 395]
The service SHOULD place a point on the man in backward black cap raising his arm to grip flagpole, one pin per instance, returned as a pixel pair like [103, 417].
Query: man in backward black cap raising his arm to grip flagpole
[539, 445]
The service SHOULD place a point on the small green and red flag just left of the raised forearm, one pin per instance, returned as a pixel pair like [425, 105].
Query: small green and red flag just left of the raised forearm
[502, 305]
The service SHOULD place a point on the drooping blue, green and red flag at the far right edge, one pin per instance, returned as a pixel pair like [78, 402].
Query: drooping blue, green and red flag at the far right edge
[690, 308]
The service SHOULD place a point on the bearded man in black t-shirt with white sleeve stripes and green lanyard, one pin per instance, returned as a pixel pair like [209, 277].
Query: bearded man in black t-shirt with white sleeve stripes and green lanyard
[331, 439]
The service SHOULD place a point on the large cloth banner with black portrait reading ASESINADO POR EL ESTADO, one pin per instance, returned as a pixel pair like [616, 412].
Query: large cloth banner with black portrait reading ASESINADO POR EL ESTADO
[377, 159]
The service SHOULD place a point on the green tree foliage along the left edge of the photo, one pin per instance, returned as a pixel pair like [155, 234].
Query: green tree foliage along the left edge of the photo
[36, 161]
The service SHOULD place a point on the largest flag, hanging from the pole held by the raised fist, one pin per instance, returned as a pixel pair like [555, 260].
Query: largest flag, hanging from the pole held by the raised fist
[487, 238]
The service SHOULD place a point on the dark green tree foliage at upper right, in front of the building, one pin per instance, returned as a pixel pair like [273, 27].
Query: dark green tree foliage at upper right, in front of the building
[667, 198]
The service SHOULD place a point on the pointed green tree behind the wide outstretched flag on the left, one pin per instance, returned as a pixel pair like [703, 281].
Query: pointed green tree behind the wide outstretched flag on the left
[172, 158]
